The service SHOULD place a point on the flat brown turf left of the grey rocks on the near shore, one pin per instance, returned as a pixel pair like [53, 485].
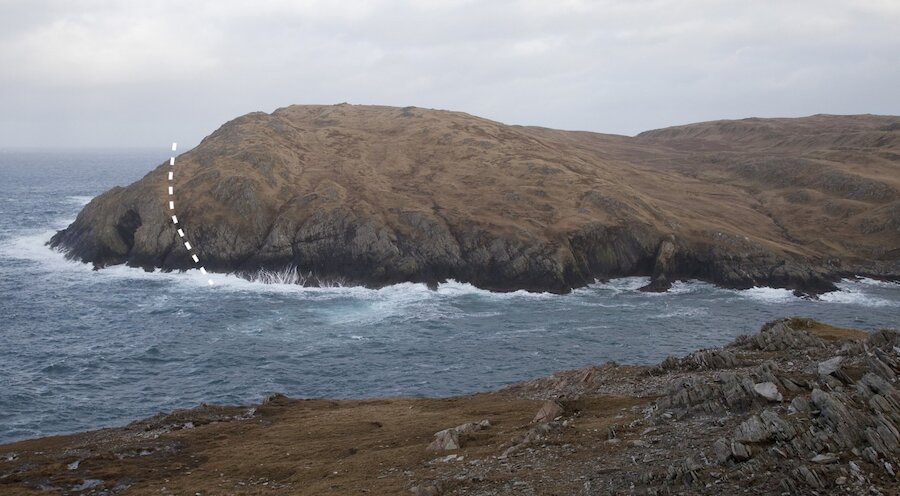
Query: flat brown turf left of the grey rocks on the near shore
[286, 447]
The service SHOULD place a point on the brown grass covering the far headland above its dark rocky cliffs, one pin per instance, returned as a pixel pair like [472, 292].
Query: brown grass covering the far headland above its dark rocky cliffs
[822, 187]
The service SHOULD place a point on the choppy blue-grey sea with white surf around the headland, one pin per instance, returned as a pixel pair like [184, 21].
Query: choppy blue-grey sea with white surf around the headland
[82, 349]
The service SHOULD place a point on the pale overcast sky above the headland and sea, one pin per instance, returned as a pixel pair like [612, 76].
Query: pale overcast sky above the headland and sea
[105, 73]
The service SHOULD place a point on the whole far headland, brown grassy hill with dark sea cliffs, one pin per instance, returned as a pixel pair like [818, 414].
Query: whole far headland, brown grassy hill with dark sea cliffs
[379, 195]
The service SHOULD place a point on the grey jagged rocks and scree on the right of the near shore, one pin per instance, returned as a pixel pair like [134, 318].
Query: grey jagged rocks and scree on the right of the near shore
[825, 421]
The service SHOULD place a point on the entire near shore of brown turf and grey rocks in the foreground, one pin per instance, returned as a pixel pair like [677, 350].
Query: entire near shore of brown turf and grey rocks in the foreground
[798, 408]
